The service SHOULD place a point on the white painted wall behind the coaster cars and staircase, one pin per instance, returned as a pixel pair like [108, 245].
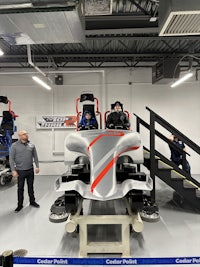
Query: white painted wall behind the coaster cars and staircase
[180, 106]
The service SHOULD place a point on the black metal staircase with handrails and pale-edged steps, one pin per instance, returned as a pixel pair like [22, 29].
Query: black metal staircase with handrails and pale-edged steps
[186, 186]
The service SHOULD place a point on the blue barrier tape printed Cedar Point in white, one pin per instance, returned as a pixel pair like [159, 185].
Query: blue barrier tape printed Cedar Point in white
[107, 261]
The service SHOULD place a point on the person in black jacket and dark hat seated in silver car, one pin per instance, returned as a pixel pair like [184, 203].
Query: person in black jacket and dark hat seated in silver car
[117, 118]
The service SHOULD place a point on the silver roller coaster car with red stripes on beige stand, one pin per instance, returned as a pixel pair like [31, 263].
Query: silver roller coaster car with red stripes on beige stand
[101, 165]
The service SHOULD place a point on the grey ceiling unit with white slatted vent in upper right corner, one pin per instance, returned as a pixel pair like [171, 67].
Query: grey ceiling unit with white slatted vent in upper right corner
[179, 17]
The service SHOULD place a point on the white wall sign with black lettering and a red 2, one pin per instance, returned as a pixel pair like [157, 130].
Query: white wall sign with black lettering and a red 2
[56, 121]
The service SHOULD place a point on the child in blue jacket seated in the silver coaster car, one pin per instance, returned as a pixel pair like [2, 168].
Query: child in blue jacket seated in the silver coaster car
[88, 122]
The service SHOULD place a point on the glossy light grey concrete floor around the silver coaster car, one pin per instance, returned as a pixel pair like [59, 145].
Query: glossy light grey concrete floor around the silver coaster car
[177, 234]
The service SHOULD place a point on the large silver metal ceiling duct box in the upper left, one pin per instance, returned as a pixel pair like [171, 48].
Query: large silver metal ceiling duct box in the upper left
[43, 25]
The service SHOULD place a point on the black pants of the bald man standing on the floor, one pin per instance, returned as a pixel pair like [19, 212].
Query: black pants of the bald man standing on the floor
[27, 175]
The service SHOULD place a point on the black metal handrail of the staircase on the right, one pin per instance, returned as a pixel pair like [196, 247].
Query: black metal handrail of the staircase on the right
[154, 117]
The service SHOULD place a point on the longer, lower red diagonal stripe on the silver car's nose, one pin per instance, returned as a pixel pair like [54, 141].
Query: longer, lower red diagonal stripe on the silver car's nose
[108, 167]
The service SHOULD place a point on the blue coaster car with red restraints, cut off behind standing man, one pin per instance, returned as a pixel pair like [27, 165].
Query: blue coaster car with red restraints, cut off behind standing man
[7, 129]
